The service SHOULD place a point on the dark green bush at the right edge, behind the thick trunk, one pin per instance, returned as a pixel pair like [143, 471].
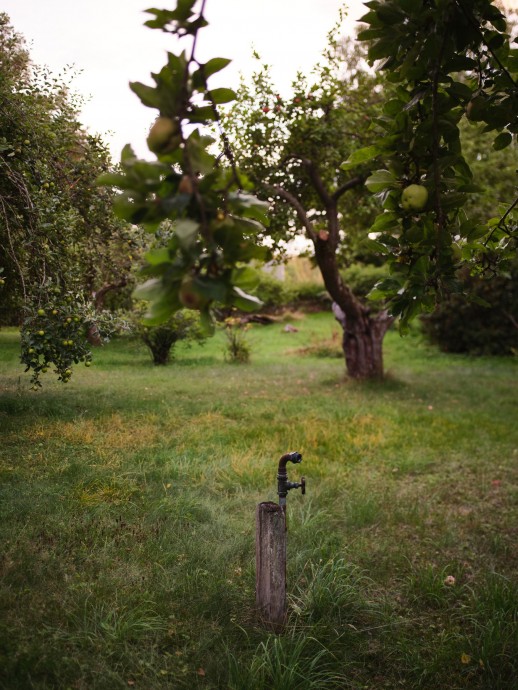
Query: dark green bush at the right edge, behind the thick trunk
[467, 326]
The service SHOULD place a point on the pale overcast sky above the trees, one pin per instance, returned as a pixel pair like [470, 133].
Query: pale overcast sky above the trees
[106, 41]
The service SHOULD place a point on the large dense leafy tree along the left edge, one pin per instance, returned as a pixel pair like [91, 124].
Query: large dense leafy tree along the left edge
[61, 248]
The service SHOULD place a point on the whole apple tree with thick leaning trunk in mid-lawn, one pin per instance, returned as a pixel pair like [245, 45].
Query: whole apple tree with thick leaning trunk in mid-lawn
[291, 149]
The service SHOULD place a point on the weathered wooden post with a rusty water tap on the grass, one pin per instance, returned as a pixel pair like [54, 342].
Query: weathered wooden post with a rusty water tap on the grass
[270, 549]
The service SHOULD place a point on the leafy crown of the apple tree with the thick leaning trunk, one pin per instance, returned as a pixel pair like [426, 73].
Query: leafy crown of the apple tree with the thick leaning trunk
[291, 146]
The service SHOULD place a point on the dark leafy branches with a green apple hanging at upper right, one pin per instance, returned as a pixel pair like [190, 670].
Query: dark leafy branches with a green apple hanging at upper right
[449, 61]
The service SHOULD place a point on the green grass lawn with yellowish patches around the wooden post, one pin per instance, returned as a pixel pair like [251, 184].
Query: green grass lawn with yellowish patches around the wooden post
[127, 502]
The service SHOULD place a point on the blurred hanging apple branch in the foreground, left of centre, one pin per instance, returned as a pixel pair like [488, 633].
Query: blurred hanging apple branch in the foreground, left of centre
[216, 223]
